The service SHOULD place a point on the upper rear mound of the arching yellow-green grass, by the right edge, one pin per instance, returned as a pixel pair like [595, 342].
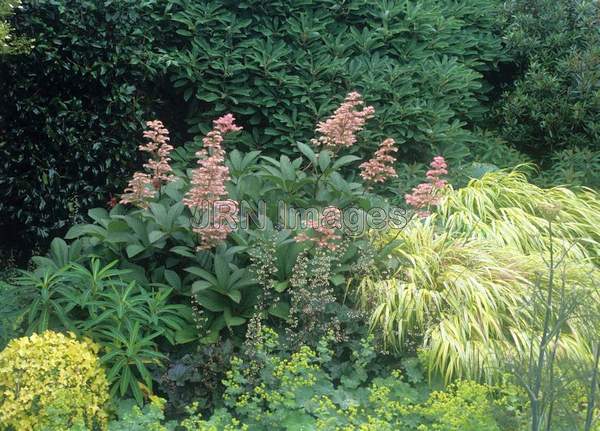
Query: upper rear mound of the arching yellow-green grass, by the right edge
[506, 209]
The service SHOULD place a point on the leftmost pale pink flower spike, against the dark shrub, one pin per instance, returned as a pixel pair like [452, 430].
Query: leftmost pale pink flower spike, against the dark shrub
[143, 186]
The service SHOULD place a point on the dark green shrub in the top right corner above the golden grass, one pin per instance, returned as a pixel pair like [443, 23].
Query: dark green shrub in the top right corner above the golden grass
[555, 103]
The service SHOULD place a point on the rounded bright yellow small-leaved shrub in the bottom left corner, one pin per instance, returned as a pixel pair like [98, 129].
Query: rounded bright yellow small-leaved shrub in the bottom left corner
[51, 381]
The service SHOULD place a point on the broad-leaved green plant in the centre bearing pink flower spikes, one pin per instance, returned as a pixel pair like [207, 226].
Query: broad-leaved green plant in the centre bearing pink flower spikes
[175, 226]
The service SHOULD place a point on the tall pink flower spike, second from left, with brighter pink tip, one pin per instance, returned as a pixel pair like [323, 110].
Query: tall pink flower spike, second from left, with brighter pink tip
[208, 192]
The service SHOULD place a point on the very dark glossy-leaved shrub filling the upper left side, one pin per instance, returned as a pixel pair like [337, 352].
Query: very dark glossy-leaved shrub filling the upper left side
[71, 110]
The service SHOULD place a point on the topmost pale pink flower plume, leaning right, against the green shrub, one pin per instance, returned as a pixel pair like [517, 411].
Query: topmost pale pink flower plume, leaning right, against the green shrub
[339, 130]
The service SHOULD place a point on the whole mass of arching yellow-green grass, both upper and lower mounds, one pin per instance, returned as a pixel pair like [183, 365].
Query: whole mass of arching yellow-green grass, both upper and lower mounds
[467, 270]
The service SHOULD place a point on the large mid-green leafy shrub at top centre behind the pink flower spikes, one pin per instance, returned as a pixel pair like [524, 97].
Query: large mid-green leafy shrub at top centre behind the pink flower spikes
[275, 65]
